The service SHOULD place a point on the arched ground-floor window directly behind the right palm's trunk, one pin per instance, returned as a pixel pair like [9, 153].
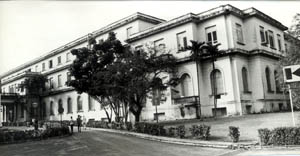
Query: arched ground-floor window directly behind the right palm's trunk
[216, 82]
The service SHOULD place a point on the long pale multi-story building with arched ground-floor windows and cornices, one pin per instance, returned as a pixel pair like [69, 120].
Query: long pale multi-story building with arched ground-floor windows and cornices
[246, 81]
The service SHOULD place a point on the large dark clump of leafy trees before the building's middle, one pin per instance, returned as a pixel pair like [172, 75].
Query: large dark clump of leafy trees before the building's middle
[115, 75]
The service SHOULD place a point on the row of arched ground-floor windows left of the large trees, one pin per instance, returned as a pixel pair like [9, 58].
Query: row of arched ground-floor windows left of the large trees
[91, 105]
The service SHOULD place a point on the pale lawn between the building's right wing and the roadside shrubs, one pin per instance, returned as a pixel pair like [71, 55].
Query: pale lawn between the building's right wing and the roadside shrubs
[248, 124]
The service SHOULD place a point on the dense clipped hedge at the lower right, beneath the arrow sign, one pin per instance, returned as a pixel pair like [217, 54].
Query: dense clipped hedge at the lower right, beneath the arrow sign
[280, 136]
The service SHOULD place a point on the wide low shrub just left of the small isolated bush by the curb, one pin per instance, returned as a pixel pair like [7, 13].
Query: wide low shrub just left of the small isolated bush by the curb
[200, 131]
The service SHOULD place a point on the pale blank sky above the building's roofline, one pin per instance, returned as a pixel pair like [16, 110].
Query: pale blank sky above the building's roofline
[29, 29]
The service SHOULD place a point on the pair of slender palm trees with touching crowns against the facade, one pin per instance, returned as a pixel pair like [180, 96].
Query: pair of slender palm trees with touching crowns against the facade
[200, 50]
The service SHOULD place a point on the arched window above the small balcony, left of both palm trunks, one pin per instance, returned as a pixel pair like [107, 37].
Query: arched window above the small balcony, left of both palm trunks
[186, 85]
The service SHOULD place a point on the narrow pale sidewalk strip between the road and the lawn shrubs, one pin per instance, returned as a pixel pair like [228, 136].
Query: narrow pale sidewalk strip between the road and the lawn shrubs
[190, 142]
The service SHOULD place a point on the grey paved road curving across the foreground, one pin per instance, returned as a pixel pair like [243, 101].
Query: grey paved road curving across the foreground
[90, 143]
